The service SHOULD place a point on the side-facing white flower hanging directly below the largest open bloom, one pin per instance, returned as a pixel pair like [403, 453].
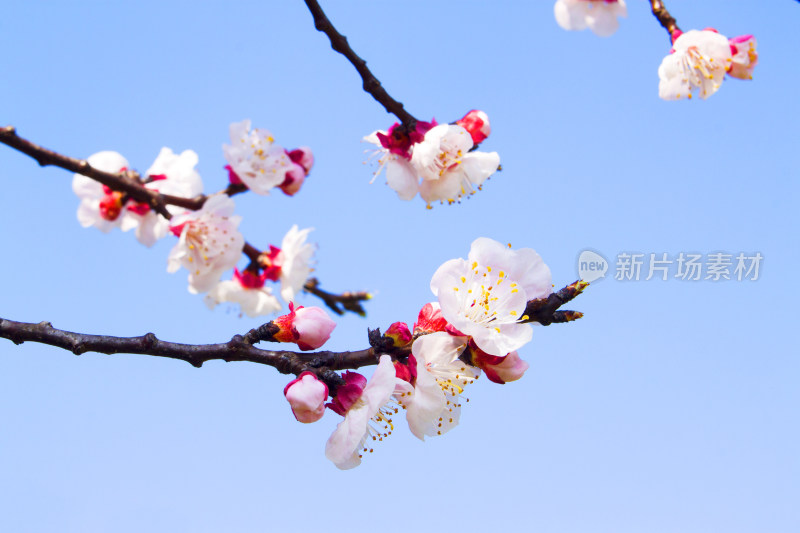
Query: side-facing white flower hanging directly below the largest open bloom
[434, 406]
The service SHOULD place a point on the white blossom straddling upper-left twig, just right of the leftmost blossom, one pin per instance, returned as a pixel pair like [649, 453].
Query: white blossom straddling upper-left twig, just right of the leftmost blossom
[169, 174]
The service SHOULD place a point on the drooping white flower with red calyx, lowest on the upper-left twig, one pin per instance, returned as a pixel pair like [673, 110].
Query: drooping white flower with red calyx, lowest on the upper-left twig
[246, 289]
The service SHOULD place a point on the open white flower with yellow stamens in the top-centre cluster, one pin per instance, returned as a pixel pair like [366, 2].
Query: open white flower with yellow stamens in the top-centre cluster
[447, 167]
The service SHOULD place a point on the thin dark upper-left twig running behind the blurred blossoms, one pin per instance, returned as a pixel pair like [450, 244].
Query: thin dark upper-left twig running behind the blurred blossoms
[129, 182]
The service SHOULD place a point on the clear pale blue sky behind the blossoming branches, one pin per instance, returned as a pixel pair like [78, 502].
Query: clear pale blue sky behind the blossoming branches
[672, 406]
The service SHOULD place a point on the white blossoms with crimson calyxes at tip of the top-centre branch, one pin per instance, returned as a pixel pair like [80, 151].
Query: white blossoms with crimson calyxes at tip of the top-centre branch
[438, 161]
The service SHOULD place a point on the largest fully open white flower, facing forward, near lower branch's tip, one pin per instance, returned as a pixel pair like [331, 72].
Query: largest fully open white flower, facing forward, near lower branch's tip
[485, 295]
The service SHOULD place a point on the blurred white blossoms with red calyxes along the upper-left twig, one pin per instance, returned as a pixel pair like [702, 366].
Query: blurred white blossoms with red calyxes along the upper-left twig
[209, 241]
